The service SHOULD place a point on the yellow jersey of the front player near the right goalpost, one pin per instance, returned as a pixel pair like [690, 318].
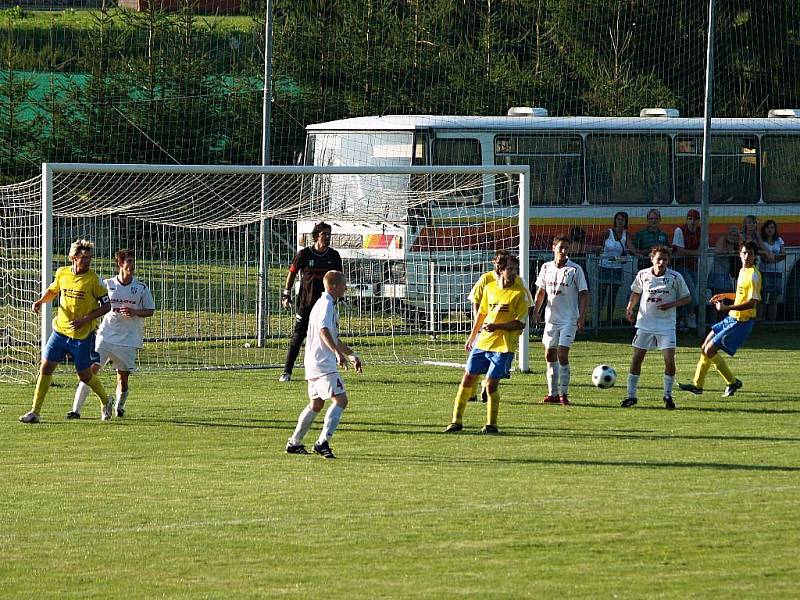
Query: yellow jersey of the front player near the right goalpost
[502, 305]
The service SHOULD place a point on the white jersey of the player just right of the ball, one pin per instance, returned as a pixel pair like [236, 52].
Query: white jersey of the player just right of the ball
[654, 290]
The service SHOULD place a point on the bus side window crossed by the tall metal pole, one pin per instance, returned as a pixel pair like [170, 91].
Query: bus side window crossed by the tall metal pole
[734, 169]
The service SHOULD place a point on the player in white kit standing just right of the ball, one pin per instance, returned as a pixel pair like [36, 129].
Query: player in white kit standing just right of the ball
[658, 291]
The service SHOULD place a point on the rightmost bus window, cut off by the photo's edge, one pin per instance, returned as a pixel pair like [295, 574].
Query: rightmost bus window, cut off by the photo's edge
[780, 174]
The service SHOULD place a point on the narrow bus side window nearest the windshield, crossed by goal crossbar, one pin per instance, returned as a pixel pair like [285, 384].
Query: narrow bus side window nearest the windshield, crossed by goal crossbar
[451, 188]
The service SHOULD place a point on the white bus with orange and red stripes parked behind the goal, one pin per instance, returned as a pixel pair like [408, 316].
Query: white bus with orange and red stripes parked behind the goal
[583, 170]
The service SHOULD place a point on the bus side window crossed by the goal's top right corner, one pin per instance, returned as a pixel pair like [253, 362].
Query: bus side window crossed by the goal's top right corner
[556, 164]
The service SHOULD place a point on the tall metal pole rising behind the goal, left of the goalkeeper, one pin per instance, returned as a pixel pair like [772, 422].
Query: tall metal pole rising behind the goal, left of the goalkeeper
[263, 246]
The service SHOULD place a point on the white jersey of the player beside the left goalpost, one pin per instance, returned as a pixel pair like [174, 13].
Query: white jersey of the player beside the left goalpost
[115, 327]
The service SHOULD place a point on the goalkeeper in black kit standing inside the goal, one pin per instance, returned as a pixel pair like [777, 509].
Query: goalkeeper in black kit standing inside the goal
[312, 262]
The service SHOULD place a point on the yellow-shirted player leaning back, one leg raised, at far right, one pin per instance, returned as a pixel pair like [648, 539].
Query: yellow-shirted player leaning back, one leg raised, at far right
[730, 333]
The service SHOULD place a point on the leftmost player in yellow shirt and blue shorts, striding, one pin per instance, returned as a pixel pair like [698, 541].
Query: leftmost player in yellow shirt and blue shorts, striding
[82, 299]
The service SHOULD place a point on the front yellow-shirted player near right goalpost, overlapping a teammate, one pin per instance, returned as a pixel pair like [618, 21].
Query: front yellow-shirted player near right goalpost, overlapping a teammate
[491, 343]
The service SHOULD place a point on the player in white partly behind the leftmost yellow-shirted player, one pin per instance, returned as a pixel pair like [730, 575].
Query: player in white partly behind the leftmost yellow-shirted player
[121, 333]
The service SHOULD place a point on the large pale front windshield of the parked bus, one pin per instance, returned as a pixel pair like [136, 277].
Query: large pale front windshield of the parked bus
[361, 195]
